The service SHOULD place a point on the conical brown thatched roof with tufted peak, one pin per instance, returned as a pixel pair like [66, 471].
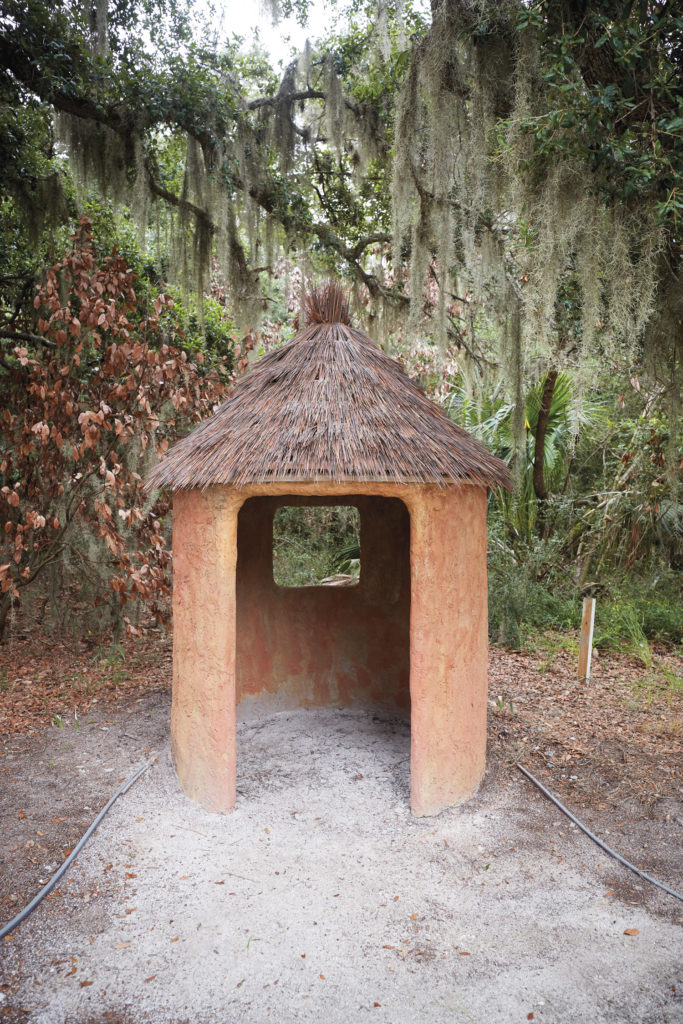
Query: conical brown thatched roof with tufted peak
[329, 406]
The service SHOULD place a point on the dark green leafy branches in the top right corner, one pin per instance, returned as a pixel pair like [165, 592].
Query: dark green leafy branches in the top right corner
[629, 97]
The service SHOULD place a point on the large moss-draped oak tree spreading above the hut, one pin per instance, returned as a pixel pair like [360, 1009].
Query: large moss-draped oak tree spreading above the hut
[533, 146]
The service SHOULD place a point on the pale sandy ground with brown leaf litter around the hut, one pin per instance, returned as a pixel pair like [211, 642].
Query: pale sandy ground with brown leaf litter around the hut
[321, 899]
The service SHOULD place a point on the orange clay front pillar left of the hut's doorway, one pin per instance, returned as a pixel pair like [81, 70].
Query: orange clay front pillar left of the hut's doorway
[203, 720]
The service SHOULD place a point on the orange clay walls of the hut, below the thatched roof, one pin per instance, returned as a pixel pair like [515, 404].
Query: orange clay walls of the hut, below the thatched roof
[448, 635]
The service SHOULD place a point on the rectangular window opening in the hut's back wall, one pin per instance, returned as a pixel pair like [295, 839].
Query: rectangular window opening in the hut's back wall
[317, 546]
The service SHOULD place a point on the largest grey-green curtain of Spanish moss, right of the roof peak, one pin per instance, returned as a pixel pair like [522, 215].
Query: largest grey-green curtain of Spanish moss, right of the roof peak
[462, 83]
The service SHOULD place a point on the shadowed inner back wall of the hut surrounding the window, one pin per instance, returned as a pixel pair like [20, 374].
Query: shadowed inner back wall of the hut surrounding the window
[322, 646]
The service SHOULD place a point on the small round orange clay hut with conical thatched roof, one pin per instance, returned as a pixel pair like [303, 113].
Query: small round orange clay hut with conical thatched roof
[331, 419]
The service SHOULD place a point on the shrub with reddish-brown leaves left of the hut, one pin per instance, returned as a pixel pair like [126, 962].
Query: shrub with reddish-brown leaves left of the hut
[87, 404]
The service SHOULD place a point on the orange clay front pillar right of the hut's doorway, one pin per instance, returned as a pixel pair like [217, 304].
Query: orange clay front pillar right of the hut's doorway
[449, 646]
